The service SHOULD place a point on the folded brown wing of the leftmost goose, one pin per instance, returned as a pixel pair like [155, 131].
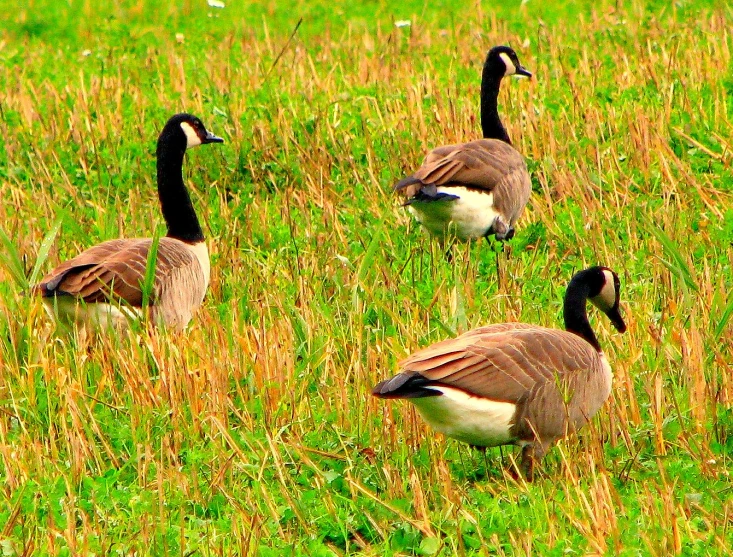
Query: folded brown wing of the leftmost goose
[116, 269]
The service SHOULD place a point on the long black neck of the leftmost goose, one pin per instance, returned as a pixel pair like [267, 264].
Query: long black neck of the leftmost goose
[175, 201]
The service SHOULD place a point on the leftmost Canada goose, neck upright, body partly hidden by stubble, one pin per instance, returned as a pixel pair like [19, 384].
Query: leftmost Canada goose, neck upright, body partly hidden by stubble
[103, 285]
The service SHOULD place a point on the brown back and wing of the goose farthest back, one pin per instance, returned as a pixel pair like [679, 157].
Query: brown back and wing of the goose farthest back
[486, 164]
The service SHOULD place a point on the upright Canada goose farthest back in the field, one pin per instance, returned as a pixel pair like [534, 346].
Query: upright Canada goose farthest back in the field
[474, 189]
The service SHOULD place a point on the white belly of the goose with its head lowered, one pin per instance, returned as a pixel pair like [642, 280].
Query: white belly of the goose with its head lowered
[473, 420]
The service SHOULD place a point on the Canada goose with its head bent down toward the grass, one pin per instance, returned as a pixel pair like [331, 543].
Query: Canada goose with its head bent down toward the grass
[515, 383]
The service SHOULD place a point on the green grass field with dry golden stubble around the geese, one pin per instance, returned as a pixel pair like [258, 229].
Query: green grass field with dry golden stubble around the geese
[255, 433]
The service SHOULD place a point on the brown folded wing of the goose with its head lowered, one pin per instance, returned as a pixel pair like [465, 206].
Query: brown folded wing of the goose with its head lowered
[505, 362]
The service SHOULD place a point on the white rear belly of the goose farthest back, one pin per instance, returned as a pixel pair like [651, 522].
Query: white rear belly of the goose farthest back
[470, 216]
